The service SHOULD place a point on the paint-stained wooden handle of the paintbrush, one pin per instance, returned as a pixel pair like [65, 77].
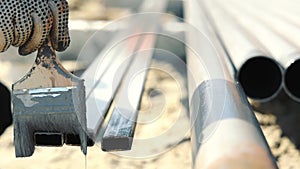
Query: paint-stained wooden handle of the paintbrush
[47, 71]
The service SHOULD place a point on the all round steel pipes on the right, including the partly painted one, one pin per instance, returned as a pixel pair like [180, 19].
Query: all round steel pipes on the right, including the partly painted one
[237, 48]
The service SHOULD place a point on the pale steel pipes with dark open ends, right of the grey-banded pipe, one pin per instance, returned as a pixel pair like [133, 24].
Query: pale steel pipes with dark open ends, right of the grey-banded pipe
[262, 43]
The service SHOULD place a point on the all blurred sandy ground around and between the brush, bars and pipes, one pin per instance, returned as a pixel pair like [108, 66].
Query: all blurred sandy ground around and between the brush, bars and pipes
[163, 125]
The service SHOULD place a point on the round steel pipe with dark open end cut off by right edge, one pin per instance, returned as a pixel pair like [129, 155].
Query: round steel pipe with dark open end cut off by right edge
[268, 30]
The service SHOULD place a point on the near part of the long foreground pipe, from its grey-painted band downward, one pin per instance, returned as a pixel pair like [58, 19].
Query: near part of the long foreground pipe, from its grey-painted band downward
[230, 128]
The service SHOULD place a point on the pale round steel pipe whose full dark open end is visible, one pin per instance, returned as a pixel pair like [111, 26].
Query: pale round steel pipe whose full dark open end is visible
[257, 71]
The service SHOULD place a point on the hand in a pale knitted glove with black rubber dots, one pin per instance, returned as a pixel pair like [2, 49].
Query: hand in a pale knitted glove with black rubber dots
[27, 23]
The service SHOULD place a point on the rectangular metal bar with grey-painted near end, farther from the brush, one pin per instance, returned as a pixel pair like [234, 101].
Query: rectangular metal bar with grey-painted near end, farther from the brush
[120, 129]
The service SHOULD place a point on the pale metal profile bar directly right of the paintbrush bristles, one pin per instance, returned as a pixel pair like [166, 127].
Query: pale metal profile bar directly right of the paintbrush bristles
[104, 76]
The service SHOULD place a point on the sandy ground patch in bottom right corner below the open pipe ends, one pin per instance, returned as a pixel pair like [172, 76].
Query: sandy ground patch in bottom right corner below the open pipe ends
[279, 120]
